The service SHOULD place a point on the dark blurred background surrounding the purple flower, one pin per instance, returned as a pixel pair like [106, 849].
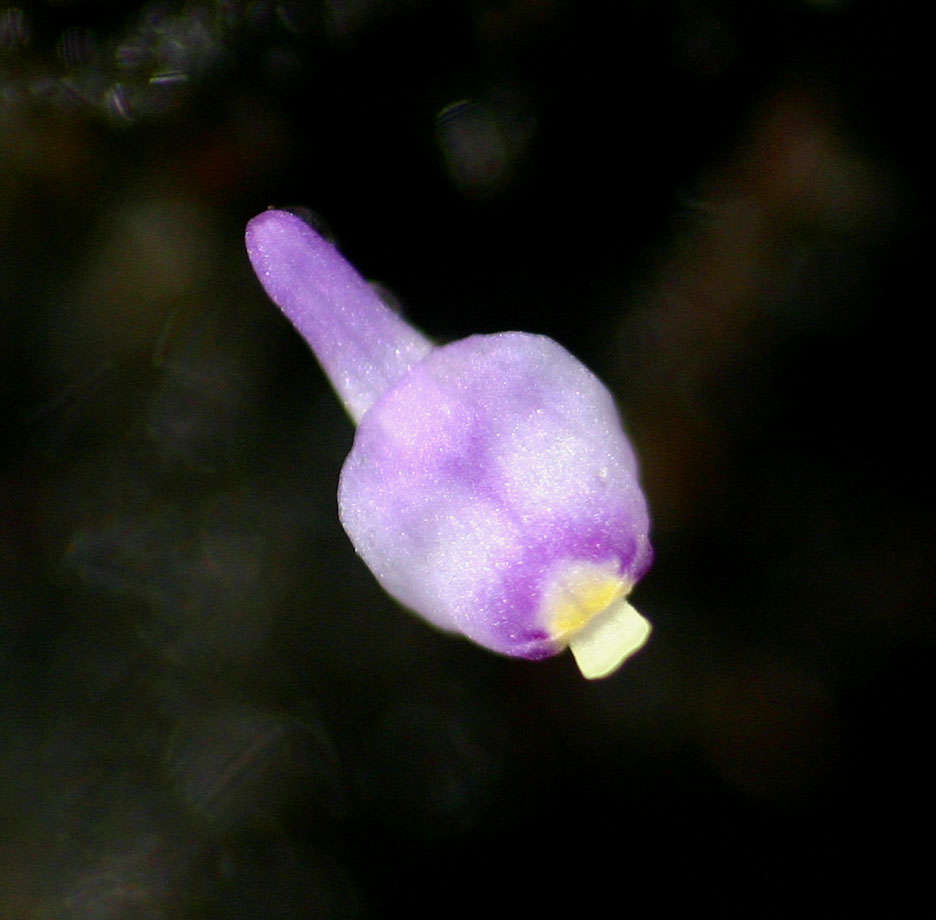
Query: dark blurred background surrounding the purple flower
[207, 707]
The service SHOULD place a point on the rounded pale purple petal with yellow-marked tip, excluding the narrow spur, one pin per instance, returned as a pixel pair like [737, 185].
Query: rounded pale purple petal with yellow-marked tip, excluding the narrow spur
[493, 471]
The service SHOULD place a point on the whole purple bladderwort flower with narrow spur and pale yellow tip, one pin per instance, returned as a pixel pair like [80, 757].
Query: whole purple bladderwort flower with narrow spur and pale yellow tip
[491, 487]
